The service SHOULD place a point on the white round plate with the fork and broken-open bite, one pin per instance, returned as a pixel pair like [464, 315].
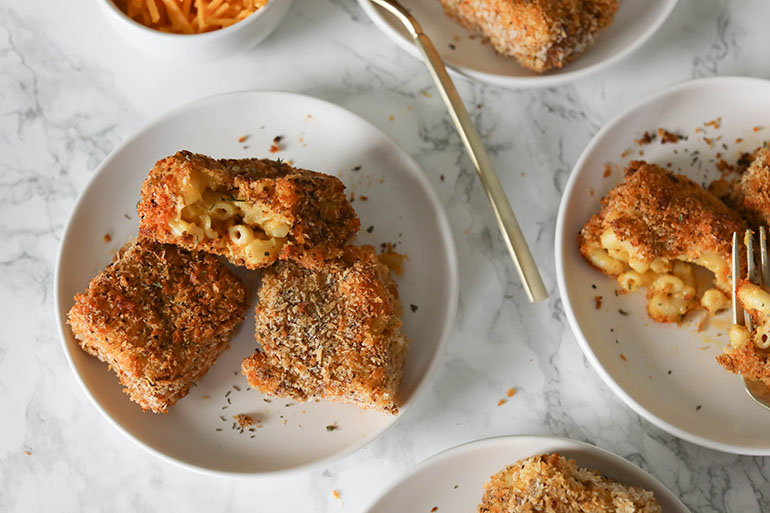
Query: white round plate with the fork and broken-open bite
[666, 373]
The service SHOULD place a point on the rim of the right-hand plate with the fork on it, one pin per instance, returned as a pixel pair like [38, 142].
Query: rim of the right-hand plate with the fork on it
[560, 278]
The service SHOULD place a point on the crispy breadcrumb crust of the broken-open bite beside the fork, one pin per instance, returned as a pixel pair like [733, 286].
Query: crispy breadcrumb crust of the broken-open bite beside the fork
[656, 214]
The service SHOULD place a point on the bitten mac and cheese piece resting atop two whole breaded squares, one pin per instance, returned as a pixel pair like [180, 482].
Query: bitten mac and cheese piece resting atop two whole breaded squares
[251, 211]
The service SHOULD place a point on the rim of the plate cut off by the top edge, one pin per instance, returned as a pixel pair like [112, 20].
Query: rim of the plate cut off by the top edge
[539, 81]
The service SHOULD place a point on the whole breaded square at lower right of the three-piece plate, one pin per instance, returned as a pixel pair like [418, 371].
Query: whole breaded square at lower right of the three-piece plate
[332, 332]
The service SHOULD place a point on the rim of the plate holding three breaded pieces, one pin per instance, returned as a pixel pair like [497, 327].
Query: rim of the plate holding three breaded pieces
[444, 334]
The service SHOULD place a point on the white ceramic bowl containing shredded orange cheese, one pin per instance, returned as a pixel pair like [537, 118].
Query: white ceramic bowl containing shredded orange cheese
[204, 47]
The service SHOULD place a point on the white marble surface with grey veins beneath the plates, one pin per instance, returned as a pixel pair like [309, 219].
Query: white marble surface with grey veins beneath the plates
[70, 91]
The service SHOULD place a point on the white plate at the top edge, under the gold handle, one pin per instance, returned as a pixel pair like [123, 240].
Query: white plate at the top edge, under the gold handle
[471, 56]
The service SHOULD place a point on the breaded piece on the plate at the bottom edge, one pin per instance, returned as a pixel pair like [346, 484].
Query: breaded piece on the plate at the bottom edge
[550, 483]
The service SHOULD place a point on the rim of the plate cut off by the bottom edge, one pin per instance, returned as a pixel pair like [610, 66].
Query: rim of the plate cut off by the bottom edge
[494, 440]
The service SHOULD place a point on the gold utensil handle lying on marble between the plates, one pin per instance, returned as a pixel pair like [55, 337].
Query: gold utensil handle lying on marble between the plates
[509, 226]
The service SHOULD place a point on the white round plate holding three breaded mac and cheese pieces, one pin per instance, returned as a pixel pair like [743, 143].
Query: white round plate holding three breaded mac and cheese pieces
[400, 206]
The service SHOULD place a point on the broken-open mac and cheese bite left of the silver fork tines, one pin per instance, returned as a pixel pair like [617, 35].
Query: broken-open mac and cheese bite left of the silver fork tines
[649, 232]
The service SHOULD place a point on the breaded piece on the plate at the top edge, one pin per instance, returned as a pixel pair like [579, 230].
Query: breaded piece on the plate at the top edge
[540, 34]
